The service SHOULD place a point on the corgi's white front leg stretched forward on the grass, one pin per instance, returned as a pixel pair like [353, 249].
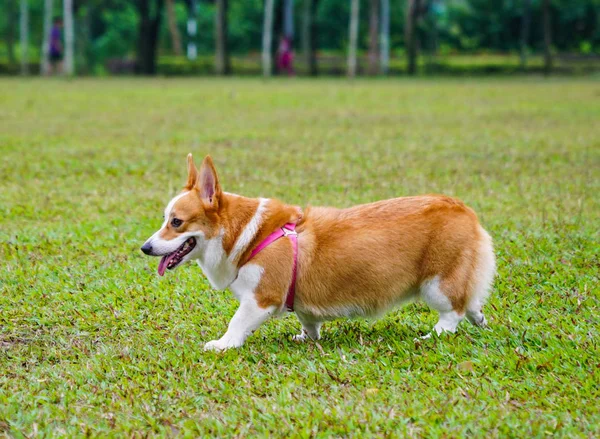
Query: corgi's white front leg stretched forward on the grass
[246, 320]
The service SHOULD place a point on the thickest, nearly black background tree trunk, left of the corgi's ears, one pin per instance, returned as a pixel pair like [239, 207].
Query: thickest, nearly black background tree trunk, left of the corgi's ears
[148, 35]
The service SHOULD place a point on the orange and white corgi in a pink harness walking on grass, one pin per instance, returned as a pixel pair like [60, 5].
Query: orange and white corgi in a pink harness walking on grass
[355, 262]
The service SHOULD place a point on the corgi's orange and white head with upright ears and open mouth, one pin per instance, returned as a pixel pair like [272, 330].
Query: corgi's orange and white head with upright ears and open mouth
[191, 218]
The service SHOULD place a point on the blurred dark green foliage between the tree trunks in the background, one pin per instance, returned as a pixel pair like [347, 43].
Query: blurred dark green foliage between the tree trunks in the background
[453, 35]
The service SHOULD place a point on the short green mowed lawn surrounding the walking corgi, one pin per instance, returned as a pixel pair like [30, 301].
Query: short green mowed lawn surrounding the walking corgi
[94, 342]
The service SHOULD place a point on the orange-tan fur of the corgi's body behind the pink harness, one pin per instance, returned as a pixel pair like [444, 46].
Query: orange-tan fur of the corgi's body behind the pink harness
[367, 259]
